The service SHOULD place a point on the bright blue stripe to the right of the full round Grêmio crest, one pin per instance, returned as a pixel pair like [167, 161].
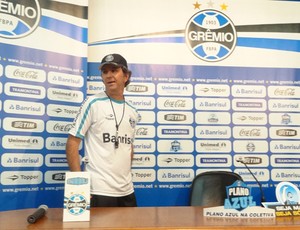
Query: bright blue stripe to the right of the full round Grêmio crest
[270, 43]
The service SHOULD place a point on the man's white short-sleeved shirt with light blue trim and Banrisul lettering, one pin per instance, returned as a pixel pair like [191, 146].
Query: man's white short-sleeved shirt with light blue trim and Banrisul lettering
[110, 167]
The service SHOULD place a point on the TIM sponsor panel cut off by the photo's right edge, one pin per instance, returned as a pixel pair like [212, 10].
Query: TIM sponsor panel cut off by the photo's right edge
[285, 132]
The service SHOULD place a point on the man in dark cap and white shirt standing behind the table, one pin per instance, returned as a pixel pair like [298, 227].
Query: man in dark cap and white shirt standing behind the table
[106, 122]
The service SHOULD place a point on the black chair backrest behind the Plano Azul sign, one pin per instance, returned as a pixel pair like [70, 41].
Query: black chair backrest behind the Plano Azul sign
[209, 188]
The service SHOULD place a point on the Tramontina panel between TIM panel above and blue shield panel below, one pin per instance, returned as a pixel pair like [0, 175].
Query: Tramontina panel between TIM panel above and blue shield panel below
[175, 131]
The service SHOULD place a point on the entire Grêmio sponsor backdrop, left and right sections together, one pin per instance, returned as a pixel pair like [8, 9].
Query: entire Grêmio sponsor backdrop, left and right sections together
[214, 81]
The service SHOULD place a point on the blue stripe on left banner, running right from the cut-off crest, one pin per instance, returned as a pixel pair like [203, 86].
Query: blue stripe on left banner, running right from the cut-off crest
[64, 28]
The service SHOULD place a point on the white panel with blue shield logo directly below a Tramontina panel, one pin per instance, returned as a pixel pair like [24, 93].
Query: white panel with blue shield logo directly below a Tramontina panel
[175, 146]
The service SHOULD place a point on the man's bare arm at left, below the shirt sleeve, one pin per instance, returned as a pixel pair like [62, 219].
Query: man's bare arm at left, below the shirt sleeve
[72, 152]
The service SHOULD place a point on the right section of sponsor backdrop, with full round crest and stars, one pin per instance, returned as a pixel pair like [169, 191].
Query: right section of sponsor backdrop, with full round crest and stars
[215, 82]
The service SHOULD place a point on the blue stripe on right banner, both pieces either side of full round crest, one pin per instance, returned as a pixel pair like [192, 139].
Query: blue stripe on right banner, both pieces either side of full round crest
[266, 43]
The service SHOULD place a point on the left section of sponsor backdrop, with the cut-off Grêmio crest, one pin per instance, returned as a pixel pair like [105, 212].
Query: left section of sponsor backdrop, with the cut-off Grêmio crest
[43, 68]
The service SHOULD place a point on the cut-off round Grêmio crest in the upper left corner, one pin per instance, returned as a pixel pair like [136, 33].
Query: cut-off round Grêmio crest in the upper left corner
[18, 18]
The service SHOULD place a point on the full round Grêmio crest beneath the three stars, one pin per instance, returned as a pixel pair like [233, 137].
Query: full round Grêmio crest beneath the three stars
[210, 35]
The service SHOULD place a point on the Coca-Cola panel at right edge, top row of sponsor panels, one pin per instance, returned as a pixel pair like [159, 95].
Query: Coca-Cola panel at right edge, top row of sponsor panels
[284, 91]
